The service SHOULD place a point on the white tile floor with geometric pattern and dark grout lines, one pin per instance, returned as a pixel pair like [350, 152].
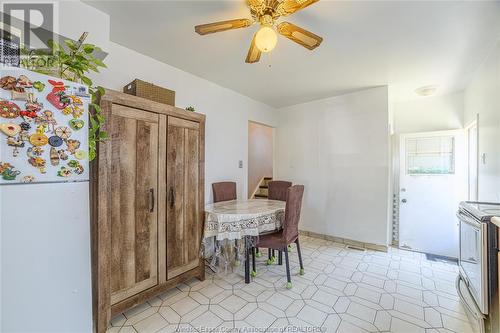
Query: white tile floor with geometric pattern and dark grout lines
[343, 290]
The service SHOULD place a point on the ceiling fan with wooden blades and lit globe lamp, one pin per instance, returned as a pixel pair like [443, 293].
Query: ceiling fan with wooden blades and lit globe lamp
[266, 13]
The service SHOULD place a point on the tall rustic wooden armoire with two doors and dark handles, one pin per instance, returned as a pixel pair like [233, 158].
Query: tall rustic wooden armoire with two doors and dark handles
[147, 203]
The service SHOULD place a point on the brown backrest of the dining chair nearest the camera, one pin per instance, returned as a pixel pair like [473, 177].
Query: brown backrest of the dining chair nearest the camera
[292, 212]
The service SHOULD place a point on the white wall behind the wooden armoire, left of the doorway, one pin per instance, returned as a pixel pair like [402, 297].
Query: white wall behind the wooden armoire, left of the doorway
[227, 112]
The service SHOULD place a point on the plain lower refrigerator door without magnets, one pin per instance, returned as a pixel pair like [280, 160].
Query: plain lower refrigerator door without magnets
[45, 258]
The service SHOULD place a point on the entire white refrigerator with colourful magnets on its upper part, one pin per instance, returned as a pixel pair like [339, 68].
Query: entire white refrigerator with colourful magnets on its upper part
[44, 204]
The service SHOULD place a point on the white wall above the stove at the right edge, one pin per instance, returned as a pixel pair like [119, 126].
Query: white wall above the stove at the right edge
[482, 96]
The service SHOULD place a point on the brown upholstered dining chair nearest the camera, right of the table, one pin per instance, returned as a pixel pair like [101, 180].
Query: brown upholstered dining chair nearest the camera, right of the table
[289, 234]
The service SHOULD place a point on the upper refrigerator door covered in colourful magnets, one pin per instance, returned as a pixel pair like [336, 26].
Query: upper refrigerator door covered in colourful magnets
[43, 128]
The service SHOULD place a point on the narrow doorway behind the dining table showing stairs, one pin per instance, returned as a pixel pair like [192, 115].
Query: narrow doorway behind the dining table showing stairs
[260, 158]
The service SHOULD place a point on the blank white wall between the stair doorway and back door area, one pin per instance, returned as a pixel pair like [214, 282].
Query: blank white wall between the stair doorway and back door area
[339, 149]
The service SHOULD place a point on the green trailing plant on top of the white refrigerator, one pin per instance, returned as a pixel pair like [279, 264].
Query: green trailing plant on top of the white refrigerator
[74, 61]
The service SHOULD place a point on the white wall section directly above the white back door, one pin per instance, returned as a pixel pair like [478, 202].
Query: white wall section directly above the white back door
[426, 114]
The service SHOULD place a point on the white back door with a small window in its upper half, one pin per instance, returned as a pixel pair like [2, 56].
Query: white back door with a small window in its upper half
[432, 183]
